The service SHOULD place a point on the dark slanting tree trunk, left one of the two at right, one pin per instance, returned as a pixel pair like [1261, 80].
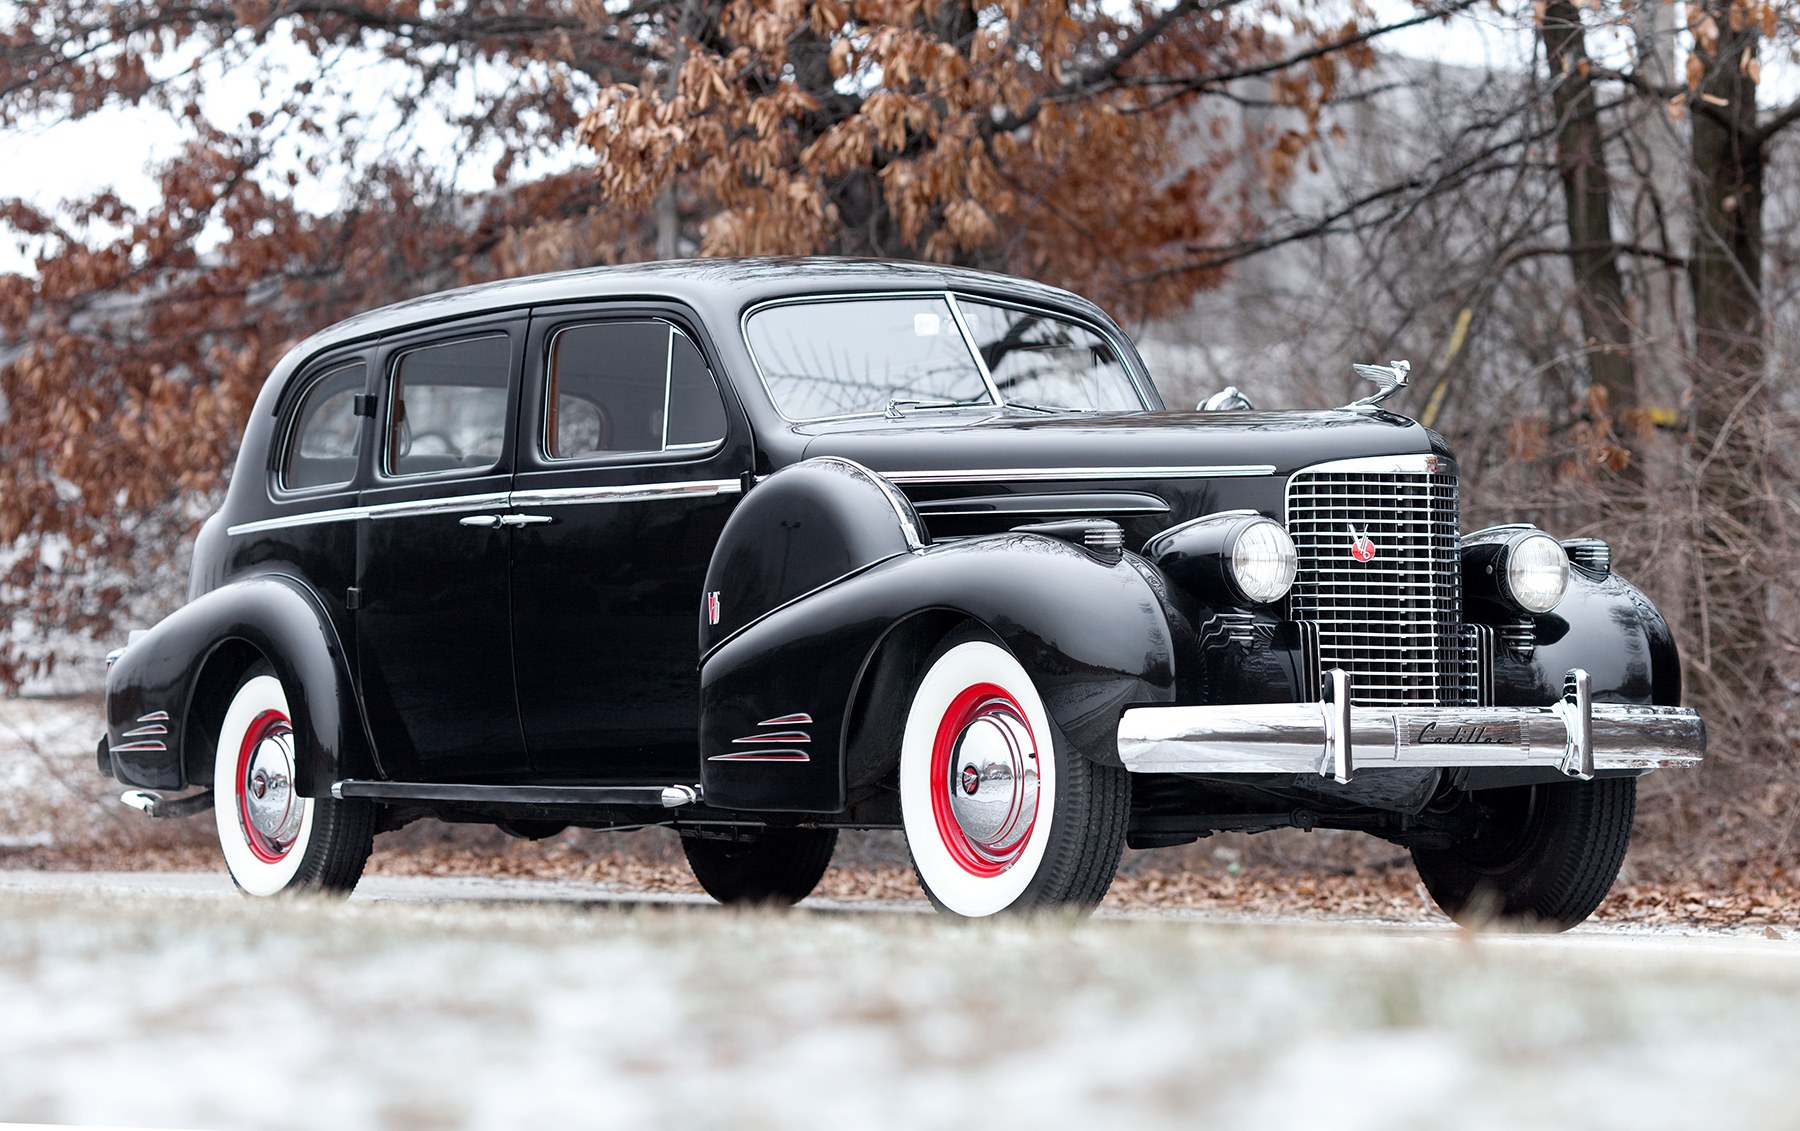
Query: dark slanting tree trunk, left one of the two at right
[1588, 204]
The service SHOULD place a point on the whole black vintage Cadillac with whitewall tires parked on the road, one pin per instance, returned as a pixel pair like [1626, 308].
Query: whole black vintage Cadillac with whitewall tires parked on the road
[764, 550]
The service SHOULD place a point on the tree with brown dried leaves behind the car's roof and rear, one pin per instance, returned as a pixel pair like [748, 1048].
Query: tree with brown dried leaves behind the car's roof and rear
[1050, 140]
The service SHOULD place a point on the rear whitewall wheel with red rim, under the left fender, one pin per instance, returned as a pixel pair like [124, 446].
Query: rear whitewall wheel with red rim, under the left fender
[273, 838]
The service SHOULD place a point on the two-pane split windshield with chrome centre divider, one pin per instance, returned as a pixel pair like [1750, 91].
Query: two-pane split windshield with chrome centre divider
[843, 357]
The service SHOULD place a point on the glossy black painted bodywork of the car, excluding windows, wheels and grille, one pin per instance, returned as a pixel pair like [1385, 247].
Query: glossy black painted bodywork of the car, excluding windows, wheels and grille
[564, 655]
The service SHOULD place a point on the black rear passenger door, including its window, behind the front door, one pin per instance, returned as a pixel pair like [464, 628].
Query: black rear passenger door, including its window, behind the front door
[435, 601]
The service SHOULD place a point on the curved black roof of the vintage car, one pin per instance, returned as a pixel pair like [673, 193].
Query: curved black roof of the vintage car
[710, 285]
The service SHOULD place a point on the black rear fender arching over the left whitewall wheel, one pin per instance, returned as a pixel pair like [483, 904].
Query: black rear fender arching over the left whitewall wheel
[183, 671]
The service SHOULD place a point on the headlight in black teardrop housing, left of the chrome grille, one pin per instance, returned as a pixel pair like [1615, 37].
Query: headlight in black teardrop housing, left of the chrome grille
[1234, 557]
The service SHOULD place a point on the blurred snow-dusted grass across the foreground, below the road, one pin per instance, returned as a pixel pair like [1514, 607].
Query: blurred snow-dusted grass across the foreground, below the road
[197, 1011]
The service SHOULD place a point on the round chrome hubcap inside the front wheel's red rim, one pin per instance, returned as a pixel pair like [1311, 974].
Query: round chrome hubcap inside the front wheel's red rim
[994, 781]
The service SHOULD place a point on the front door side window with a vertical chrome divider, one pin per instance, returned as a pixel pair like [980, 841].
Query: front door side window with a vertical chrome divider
[629, 388]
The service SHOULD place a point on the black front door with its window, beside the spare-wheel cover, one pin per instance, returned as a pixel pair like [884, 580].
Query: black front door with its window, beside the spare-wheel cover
[629, 462]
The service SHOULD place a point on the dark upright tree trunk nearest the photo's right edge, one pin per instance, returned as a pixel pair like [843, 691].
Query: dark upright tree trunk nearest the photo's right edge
[1736, 658]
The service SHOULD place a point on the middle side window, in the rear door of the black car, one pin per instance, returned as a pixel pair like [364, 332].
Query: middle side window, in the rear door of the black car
[449, 406]
